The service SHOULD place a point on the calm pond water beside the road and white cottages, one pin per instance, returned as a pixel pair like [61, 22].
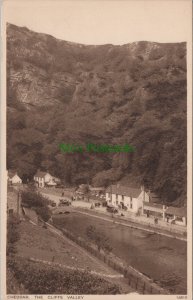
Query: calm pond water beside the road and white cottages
[161, 258]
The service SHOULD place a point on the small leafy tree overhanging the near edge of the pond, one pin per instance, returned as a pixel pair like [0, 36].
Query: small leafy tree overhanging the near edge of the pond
[99, 238]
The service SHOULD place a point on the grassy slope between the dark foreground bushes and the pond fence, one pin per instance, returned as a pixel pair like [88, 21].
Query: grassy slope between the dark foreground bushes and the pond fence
[45, 245]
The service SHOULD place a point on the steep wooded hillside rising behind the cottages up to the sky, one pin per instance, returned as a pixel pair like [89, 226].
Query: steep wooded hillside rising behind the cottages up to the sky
[59, 91]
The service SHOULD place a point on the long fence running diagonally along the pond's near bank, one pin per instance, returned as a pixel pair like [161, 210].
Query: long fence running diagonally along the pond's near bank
[136, 280]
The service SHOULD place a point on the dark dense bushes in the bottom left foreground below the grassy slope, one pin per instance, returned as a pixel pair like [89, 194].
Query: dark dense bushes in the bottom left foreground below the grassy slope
[39, 278]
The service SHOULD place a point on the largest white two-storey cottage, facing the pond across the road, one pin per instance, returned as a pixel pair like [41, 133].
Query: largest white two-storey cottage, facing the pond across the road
[127, 198]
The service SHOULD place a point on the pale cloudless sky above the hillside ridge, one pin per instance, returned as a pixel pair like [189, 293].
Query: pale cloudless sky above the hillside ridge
[104, 22]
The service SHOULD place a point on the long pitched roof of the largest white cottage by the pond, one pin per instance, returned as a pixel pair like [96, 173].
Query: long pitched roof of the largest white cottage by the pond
[124, 190]
